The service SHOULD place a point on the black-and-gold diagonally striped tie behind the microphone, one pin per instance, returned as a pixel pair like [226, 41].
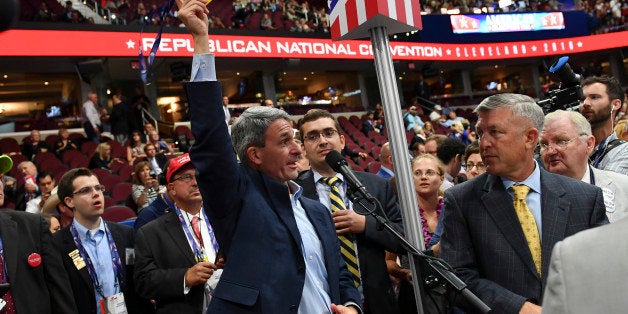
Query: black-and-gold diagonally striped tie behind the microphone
[347, 248]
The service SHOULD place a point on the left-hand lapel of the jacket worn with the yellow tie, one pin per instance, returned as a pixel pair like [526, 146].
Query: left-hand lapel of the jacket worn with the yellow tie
[503, 213]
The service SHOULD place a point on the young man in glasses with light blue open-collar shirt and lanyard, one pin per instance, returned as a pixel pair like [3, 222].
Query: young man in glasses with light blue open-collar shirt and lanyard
[97, 255]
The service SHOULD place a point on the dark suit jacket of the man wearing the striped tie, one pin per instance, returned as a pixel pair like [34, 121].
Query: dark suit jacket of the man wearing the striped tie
[379, 296]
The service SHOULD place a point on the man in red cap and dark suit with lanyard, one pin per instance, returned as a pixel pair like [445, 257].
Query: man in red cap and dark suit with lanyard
[176, 256]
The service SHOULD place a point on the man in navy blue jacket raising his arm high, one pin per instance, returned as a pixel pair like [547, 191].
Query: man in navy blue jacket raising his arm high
[281, 251]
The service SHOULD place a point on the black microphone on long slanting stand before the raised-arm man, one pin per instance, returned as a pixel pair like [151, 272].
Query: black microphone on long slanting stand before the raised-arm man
[442, 269]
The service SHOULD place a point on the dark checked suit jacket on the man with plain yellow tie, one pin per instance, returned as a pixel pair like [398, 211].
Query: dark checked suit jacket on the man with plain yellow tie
[484, 243]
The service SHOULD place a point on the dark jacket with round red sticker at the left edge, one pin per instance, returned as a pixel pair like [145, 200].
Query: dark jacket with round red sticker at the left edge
[42, 289]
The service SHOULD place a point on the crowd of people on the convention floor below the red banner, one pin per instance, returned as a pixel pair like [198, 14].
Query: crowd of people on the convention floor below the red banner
[510, 204]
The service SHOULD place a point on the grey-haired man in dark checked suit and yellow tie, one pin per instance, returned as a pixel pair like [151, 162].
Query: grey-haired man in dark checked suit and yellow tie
[483, 238]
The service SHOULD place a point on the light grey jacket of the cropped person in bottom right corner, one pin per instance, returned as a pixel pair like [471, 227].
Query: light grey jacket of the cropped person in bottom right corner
[588, 272]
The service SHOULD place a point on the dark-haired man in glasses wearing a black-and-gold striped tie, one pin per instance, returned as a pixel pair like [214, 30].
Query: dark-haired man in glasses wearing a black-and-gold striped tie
[320, 135]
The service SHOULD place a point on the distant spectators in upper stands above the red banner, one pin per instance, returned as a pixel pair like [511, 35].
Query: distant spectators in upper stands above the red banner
[302, 16]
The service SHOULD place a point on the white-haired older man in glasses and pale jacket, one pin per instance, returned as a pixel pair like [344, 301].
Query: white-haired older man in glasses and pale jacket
[566, 142]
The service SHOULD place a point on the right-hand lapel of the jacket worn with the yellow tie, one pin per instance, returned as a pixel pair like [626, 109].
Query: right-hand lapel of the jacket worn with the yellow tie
[555, 213]
